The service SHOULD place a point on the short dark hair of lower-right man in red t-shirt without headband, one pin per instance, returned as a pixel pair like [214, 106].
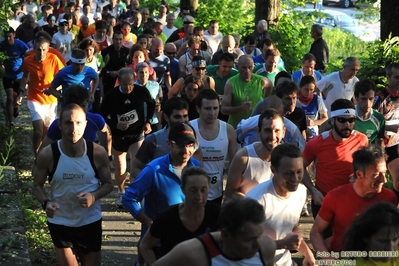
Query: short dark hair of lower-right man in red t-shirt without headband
[366, 156]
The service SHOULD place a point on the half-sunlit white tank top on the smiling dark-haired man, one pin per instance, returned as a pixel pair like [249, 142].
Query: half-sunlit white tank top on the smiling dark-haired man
[257, 170]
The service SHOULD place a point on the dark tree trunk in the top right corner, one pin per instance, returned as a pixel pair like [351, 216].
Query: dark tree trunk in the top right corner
[389, 18]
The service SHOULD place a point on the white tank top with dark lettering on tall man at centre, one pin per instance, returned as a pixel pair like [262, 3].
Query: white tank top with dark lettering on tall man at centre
[214, 154]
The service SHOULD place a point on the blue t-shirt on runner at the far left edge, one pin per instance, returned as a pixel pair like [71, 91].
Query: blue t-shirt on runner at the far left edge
[15, 53]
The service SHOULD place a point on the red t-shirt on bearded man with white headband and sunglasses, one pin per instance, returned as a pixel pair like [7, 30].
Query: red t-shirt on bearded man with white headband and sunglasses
[333, 158]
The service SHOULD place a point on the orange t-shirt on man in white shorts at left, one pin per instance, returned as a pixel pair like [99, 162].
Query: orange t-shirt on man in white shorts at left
[41, 76]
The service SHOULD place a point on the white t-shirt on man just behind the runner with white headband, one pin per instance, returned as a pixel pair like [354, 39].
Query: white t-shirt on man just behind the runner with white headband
[339, 89]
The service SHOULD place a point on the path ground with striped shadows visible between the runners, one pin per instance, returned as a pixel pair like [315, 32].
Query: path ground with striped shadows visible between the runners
[120, 231]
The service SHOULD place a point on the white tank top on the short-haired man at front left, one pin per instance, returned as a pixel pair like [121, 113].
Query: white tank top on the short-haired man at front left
[73, 175]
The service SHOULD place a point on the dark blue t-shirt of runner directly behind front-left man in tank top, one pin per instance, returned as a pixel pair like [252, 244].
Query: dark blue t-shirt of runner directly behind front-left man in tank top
[95, 123]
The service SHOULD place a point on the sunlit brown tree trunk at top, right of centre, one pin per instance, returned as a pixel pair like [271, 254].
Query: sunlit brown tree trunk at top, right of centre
[268, 10]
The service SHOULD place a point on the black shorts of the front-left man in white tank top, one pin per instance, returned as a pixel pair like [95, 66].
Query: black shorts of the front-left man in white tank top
[84, 239]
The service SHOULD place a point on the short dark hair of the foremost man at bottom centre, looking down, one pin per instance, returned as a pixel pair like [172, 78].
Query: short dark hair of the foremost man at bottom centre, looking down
[237, 211]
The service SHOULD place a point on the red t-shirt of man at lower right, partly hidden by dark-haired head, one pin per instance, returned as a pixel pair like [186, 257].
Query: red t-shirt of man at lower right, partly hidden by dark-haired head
[342, 204]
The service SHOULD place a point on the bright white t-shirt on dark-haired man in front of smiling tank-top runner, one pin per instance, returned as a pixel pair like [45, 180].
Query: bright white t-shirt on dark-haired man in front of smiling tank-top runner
[282, 214]
